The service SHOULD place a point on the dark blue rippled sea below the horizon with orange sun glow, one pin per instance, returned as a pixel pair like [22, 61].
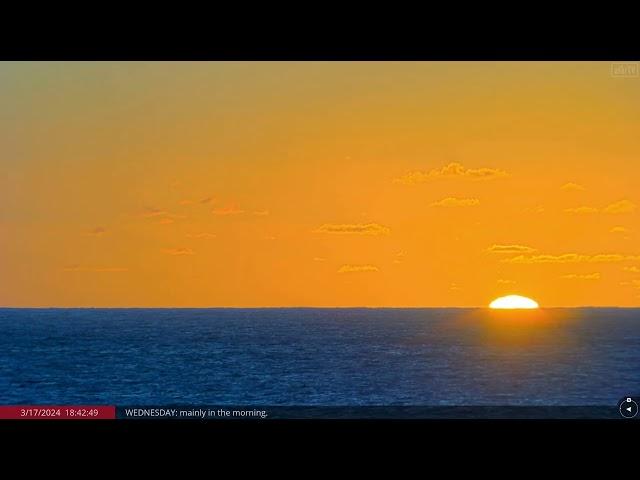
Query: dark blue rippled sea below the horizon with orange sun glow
[319, 356]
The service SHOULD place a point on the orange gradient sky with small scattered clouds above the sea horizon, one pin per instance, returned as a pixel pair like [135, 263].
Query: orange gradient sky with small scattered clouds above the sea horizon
[318, 184]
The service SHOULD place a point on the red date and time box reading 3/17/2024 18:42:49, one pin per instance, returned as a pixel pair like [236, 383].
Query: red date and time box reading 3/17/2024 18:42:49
[57, 412]
